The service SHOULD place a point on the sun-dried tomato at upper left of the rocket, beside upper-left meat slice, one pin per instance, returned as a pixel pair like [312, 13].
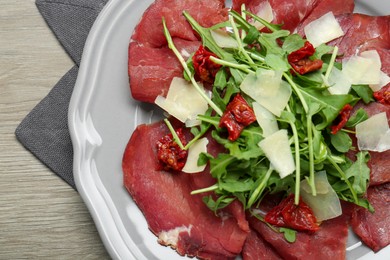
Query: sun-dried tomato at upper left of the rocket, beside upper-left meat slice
[205, 68]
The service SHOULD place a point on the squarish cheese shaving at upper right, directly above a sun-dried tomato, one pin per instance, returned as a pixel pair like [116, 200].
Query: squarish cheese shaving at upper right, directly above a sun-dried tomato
[323, 30]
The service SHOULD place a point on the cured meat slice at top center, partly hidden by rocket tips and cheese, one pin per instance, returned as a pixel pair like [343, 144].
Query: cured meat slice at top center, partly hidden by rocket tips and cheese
[288, 13]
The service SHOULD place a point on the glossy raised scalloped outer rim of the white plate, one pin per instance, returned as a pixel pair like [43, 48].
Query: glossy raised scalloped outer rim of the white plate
[85, 140]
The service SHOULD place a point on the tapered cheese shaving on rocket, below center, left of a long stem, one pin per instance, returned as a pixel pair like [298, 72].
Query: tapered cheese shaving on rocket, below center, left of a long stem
[278, 151]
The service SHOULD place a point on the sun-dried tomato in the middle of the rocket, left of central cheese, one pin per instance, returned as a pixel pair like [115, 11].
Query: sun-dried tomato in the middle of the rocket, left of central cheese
[237, 116]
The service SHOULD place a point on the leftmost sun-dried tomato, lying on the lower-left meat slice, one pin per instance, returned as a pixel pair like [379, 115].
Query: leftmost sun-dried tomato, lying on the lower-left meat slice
[169, 153]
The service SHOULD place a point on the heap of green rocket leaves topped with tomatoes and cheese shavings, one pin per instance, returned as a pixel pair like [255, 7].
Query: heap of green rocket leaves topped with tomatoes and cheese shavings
[271, 108]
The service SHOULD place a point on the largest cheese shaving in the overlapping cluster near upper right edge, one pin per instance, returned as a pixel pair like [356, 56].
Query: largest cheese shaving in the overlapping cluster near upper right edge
[363, 69]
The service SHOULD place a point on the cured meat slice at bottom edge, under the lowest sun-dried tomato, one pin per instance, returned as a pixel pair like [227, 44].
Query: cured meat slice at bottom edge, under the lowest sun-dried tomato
[329, 242]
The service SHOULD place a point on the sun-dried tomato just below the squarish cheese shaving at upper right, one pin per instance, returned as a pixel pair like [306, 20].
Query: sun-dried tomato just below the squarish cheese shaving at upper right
[301, 62]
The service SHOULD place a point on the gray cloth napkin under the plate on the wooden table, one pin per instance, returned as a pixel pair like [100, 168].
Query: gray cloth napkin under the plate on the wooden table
[44, 131]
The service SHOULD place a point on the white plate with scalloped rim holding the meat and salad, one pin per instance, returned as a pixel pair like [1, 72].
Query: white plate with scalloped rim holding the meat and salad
[102, 116]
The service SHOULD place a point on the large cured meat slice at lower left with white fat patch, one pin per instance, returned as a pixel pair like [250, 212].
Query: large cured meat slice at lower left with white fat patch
[179, 219]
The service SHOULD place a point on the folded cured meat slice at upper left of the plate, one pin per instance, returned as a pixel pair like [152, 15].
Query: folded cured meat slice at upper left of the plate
[151, 64]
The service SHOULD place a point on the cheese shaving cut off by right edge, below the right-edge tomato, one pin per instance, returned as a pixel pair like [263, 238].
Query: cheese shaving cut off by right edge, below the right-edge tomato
[374, 134]
